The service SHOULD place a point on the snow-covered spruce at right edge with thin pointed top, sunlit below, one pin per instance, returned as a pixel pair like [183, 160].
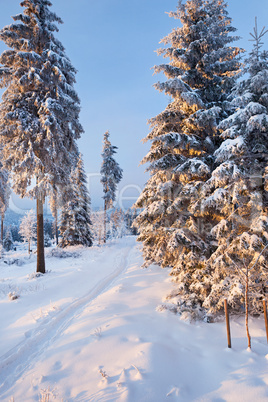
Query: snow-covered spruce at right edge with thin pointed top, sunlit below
[237, 192]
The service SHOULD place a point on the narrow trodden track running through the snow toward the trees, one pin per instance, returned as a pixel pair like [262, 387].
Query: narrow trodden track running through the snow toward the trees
[16, 361]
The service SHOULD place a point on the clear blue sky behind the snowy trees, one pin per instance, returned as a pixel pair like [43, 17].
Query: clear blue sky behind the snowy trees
[112, 44]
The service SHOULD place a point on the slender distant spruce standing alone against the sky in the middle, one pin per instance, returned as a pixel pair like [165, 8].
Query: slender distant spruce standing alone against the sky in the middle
[111, 174]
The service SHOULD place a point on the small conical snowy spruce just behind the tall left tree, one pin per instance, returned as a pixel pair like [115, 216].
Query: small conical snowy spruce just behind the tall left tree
[75, 222]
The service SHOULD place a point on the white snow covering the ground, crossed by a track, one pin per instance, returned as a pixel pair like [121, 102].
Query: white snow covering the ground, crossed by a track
[91, 330]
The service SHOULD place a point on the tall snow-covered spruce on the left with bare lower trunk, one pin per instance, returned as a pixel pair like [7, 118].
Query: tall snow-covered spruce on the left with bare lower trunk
[39, 113]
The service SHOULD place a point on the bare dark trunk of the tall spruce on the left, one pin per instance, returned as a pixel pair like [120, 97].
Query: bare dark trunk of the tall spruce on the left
[40, 238]
